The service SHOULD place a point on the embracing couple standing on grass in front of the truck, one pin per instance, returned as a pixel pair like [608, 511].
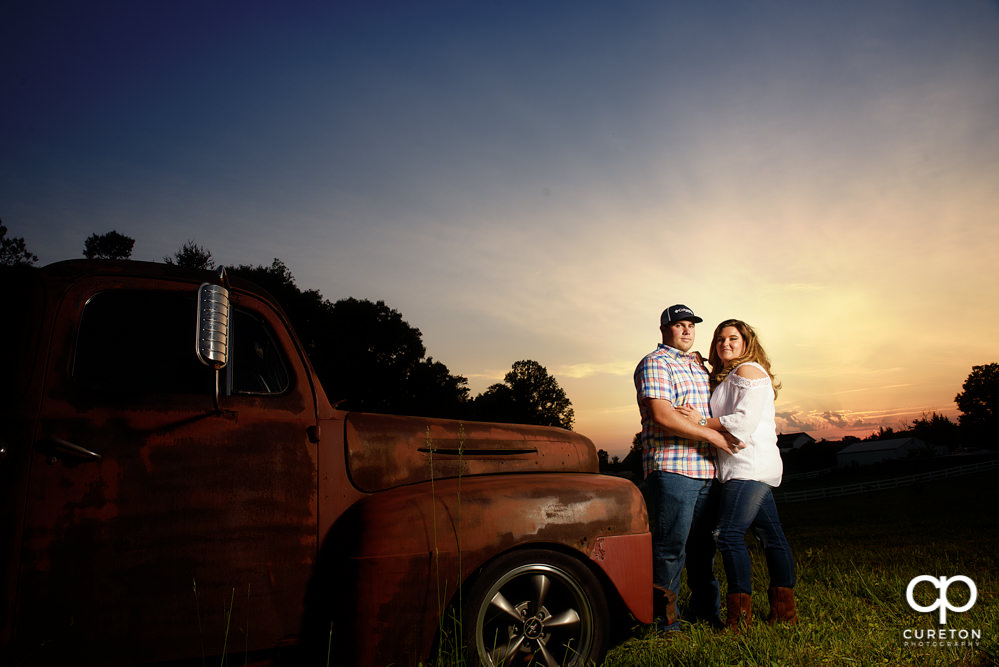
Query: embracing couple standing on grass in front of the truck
[710, 457]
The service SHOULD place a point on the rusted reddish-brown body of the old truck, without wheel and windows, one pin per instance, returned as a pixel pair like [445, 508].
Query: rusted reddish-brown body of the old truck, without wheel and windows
[273, 517]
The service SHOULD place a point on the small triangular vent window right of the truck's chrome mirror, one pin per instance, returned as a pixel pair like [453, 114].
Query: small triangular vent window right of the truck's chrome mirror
[258, 367]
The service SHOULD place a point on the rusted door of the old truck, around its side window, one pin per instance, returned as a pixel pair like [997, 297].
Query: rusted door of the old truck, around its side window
[188, 515]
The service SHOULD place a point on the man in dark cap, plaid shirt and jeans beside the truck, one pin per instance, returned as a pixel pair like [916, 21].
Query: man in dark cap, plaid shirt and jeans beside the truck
[678, 460]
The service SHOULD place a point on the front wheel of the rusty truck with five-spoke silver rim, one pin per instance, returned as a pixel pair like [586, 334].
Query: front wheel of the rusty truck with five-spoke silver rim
[536, 606]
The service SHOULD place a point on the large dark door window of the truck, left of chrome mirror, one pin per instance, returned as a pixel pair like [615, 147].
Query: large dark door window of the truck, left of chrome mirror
[137, 343]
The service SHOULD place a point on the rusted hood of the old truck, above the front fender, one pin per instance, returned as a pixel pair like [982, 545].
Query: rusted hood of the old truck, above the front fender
[384, 451]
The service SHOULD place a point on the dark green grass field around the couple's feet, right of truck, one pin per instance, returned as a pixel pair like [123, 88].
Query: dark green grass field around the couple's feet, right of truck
[855, 557]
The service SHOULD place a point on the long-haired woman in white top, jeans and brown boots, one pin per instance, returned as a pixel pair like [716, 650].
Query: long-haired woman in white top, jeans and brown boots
[742, 400]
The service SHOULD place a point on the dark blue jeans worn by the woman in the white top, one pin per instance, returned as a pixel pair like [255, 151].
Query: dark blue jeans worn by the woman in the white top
[745, 504]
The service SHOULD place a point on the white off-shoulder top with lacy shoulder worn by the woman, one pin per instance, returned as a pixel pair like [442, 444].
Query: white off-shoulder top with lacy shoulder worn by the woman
[745, 407]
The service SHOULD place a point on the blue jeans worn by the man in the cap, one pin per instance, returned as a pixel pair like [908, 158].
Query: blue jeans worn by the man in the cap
[682, 517]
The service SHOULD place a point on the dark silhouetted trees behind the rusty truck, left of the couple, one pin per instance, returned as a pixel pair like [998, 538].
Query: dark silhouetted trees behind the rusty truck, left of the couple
[366, 355]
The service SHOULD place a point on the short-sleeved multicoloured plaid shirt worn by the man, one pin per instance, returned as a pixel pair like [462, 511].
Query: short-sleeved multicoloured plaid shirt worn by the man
[678, 378]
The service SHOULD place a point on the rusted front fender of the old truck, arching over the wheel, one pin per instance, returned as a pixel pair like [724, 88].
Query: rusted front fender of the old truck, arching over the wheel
[417, 544]
